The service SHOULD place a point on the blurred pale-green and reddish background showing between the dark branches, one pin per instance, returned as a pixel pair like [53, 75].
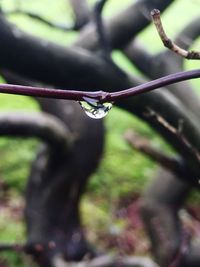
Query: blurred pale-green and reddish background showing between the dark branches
[113, 191]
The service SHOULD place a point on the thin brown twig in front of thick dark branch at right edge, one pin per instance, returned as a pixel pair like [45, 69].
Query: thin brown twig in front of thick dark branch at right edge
[175, 131]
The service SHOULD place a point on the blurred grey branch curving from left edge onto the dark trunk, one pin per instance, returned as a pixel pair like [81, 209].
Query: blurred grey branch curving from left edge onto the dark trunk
[44, 126]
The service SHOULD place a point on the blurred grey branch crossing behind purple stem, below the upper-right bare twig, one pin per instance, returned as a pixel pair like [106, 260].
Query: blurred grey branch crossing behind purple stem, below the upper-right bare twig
[163, 64]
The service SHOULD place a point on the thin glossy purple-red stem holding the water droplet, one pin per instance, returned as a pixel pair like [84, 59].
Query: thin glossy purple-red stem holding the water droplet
[100, 96]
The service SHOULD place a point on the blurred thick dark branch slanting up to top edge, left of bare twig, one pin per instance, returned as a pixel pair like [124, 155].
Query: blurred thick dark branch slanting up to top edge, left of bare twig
[122, 27]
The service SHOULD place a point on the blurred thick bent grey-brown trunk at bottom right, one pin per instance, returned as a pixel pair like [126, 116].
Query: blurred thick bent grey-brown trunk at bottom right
[160, 206]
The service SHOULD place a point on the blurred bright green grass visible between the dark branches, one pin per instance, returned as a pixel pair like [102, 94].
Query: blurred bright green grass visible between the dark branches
[122, 170]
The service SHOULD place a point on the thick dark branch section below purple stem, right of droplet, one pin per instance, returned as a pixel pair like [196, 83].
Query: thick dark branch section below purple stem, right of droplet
[172, 110]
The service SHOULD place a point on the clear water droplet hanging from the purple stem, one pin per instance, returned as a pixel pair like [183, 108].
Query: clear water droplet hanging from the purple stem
[94, 109]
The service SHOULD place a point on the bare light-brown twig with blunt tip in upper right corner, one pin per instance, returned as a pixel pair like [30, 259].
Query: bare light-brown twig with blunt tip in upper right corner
[155, 13]
